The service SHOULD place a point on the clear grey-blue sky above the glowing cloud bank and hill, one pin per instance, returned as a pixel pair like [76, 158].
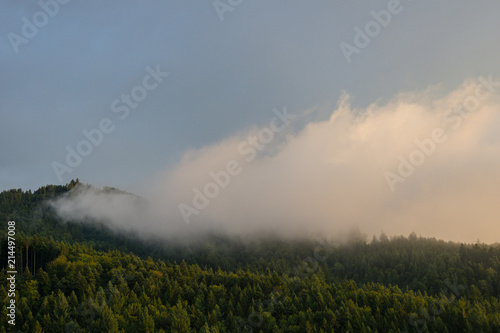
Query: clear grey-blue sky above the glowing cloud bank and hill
[224, 75]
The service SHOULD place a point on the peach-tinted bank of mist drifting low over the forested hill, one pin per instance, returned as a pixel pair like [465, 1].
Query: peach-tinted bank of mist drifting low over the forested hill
[425, 162]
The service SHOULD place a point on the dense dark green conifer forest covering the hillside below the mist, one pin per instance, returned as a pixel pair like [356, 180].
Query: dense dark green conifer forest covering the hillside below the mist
[82, 277]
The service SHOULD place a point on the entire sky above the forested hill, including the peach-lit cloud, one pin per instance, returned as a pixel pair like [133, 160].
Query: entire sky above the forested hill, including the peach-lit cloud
[170, 95]
